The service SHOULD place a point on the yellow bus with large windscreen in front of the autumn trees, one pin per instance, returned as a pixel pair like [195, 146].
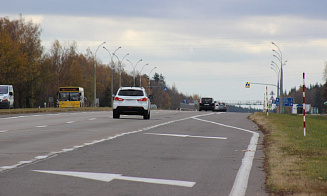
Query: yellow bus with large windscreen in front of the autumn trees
[71, 97]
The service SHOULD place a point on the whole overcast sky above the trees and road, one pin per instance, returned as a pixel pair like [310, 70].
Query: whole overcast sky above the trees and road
[206, 47]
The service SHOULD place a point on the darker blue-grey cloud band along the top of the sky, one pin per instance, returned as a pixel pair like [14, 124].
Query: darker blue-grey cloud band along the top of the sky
[173, 9]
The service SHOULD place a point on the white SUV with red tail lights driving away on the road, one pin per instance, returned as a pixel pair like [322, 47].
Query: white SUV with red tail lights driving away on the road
[131, 101]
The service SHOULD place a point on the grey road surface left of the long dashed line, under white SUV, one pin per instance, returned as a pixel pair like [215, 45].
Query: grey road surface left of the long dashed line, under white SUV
[24, 137]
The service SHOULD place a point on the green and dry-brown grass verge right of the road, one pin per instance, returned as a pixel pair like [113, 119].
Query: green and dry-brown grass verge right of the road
[295, 165]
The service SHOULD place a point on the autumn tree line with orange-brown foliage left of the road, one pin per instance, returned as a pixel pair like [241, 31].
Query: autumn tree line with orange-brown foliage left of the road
[37, 73]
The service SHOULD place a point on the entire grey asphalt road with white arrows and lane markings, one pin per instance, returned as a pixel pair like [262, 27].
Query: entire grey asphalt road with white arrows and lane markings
[90, 153]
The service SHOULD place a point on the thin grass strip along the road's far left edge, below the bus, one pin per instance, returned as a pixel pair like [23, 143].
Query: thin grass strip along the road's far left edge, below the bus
[50, 110]
